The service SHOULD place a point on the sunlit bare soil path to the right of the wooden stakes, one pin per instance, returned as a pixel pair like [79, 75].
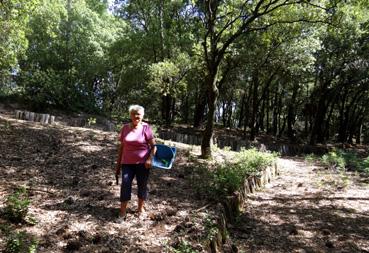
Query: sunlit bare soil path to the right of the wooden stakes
[307, 208]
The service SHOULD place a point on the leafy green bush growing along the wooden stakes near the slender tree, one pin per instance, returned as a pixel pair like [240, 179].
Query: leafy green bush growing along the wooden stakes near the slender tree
[230, 176]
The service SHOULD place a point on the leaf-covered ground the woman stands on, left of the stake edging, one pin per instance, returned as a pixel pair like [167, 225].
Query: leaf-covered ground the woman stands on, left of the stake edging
[74, 198]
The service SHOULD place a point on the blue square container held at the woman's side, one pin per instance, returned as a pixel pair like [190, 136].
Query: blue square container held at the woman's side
[164, 157]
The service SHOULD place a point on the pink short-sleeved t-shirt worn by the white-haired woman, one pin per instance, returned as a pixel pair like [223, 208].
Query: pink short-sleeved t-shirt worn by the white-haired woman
[136, 143]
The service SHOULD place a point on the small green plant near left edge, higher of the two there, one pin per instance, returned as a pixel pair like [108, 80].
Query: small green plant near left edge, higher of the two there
[16, 205]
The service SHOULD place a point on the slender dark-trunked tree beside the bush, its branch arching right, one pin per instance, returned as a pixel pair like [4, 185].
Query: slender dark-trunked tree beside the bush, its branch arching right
[225, 22]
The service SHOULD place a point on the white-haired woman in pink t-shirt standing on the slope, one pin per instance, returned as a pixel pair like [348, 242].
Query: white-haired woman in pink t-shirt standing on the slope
[134, 158]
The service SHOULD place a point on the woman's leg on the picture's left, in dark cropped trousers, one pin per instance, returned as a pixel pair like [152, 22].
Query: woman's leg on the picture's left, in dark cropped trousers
[128, 174]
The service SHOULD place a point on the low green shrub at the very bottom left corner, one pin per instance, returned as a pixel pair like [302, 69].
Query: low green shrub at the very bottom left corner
[21, 242]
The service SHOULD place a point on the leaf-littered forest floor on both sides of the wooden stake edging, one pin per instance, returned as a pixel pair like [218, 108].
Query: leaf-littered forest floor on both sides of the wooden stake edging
[74, 198]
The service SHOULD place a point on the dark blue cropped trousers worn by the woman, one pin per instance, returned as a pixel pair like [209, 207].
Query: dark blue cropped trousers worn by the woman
[129, 171]
